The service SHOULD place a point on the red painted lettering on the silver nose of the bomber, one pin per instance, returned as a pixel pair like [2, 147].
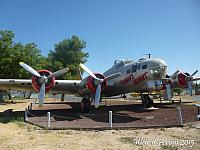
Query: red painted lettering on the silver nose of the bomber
[136, 81]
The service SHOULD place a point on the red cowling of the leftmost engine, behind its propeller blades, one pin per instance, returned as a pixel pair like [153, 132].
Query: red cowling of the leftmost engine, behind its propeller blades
[36, 84]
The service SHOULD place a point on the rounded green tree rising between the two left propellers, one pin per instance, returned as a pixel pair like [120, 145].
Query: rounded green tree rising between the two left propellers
[68, 53]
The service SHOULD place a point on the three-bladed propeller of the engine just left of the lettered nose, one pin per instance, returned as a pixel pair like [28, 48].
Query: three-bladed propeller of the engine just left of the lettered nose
[99, 81]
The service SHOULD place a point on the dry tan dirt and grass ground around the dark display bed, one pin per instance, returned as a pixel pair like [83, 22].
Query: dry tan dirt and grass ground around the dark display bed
[15, 134]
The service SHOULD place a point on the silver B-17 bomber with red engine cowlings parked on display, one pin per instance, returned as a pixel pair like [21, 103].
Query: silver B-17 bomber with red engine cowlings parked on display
[125, 76]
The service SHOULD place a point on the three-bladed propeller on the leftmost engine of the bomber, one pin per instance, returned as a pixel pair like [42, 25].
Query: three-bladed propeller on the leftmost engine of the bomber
[42, 79]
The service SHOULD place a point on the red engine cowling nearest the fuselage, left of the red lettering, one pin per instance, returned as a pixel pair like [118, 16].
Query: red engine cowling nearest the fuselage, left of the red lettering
[92, 83]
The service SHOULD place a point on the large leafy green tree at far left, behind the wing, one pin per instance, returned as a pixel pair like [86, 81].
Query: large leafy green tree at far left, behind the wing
[12, 53]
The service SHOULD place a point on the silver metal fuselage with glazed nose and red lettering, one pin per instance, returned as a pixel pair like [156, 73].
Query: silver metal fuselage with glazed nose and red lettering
[141, 76]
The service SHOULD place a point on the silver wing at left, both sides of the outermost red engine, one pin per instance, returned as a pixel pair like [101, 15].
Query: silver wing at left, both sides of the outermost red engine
[61, 86]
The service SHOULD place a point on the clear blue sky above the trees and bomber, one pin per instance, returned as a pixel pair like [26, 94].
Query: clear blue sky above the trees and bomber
[112, 29]
